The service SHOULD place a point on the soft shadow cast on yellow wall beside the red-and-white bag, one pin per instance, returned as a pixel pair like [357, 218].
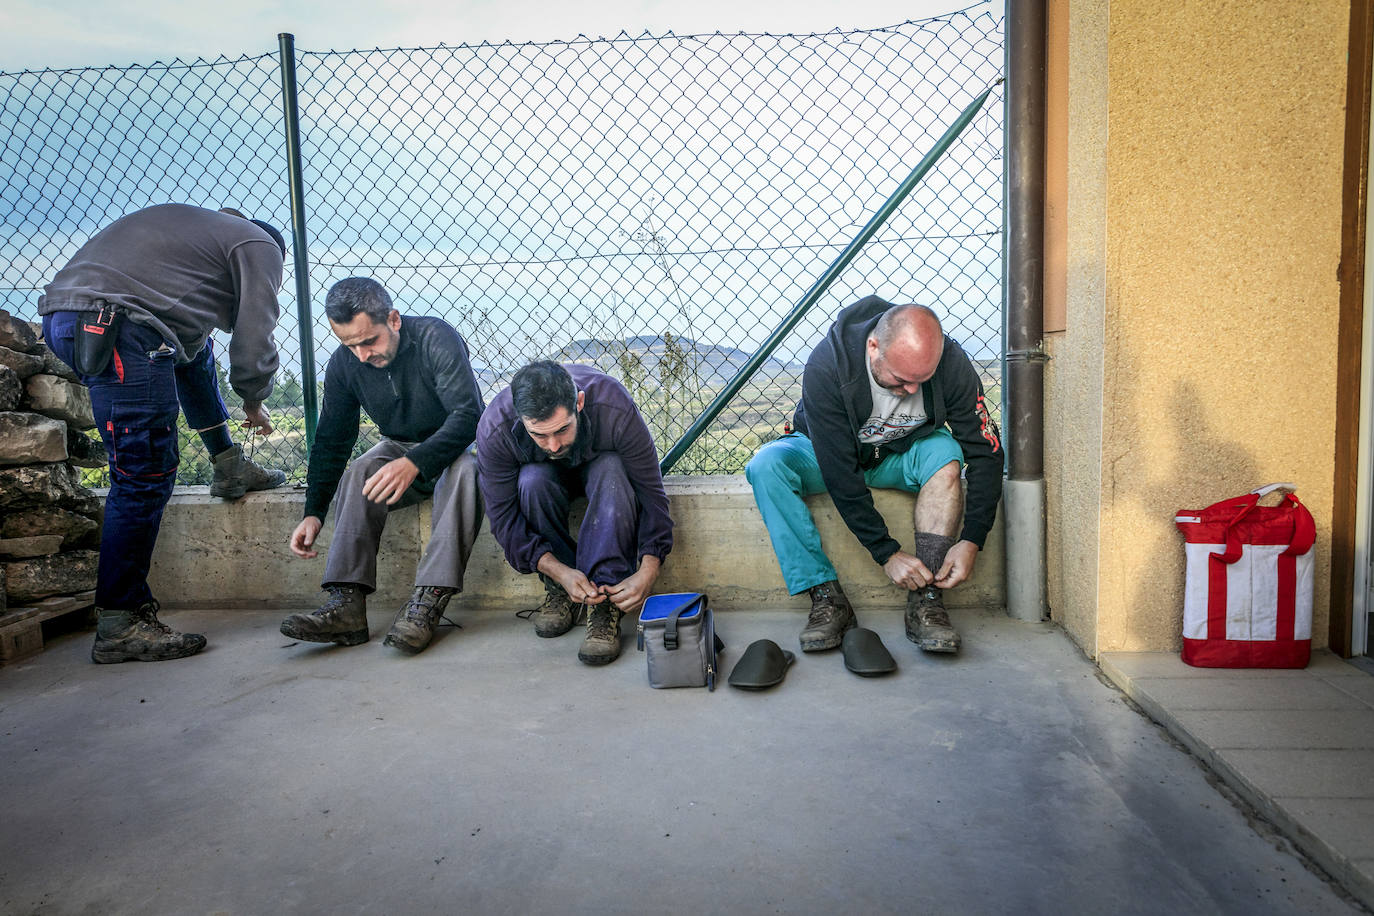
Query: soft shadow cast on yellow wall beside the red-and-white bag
[1199, 468]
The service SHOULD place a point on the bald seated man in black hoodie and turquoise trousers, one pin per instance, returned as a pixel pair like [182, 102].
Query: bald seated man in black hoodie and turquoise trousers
[890, 402]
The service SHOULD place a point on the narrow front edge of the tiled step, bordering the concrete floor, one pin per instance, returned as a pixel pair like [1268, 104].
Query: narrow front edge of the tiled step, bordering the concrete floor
[1336, 865]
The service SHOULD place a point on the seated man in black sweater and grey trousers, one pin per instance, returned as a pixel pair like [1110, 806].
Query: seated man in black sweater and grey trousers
[414, 380]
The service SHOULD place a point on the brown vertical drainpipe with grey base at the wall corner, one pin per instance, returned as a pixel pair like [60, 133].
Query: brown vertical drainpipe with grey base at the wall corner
[1024, 378]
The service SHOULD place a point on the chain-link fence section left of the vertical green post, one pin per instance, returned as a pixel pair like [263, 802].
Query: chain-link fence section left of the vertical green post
[85, 148]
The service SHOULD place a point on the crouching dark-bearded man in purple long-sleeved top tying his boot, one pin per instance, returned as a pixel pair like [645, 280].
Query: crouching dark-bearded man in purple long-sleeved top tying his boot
[557, 433]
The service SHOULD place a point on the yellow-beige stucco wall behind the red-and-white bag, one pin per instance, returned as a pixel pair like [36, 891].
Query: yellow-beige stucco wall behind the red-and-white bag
[1206, 145]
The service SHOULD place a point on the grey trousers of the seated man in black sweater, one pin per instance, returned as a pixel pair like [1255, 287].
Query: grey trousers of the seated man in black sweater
[359, 523]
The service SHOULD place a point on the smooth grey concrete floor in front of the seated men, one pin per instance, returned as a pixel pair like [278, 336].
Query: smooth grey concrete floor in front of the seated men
[495, 774]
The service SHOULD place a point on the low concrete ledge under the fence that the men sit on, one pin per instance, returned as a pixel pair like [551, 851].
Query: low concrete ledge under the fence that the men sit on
[219, 554]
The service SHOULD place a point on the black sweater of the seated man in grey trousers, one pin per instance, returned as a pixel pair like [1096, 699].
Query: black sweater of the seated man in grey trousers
[428, 396]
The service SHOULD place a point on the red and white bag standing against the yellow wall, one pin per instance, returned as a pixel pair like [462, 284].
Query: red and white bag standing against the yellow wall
[1248, 601]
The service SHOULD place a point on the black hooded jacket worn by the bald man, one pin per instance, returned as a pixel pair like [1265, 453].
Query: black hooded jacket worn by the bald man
[836, 400]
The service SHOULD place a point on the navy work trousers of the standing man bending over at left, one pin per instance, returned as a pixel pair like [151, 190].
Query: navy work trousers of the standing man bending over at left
[135, 403]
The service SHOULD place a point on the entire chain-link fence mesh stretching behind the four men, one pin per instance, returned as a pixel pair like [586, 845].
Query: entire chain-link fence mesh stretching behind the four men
[653, 205]
